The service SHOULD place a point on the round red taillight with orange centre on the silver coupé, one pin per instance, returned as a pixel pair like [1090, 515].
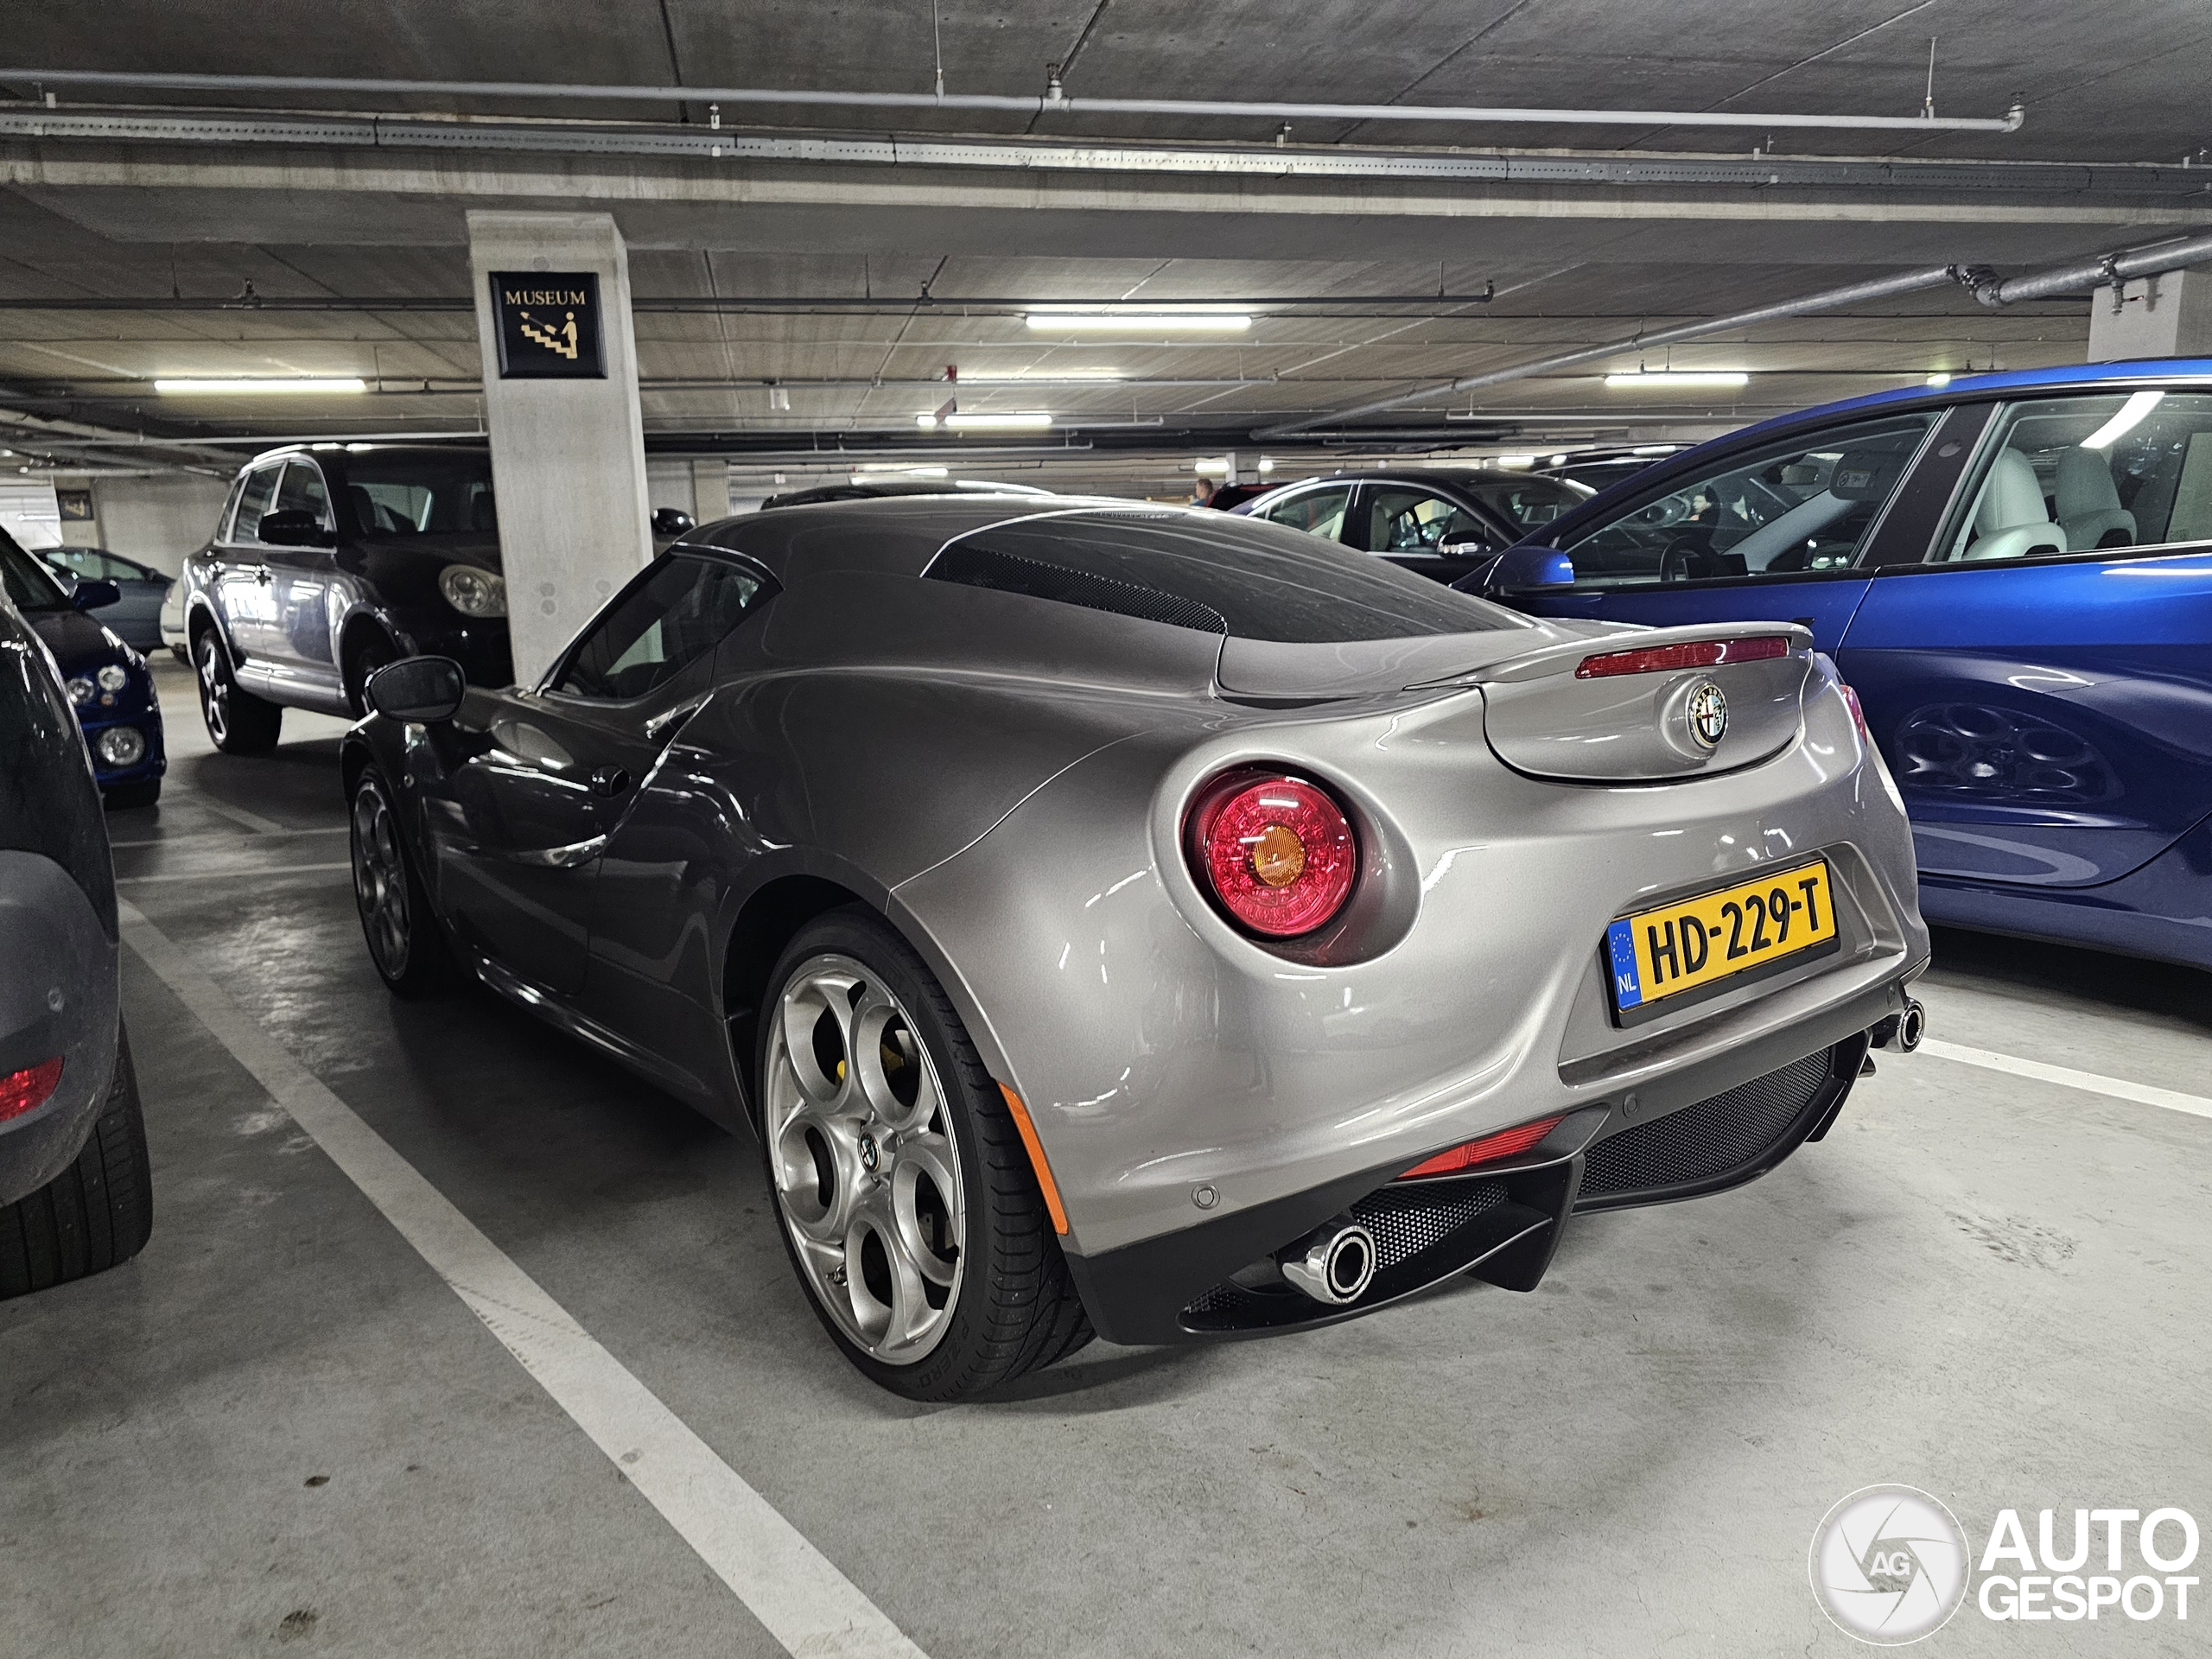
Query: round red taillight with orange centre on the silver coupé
[1277, 853]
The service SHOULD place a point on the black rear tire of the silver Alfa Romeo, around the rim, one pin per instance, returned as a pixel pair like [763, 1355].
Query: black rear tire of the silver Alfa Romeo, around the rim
[1016, 1306]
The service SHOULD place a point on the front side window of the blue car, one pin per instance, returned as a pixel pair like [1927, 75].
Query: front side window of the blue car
[1788, 510]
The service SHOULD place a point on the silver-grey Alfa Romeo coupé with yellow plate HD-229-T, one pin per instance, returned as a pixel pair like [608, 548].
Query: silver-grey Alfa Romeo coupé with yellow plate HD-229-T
[1154, 924]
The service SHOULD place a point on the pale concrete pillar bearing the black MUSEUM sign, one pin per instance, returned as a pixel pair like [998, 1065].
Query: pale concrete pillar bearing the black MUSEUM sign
[567, 455]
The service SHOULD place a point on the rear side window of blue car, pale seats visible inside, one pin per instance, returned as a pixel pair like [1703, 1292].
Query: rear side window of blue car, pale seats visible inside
[2098, 474]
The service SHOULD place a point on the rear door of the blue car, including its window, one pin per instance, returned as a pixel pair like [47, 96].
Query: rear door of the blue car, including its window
[2043, 682]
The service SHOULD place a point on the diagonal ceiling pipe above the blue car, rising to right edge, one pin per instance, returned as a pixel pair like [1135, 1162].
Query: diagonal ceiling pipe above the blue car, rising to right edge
[1981, 280]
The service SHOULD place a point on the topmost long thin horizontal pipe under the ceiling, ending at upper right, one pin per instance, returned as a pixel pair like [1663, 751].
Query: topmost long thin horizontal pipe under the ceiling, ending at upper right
[1052, 101]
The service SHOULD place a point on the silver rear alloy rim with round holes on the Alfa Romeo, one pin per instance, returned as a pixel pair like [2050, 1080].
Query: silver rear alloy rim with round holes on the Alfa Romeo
[864, 1160]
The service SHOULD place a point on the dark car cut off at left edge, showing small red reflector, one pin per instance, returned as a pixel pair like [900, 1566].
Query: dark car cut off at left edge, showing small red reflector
[76, 1193]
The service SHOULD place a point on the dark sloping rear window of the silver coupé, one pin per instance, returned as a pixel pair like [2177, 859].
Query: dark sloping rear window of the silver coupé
[1213, 574]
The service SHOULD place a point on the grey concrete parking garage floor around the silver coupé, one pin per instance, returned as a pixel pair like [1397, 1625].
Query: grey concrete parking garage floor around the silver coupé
[280, 1428]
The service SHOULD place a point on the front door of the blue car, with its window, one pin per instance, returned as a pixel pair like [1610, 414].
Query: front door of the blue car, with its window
[1788, 530]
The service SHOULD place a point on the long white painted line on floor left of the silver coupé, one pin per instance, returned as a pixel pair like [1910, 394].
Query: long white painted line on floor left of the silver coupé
[791, 1587]
